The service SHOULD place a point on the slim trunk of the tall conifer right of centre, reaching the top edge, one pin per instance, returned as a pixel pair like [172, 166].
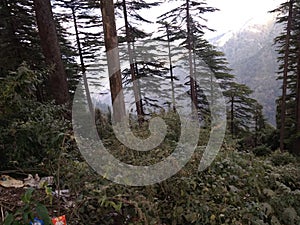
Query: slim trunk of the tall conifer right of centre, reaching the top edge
[189, 44]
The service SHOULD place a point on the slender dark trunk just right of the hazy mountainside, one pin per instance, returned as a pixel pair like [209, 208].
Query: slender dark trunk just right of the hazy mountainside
[285, 75]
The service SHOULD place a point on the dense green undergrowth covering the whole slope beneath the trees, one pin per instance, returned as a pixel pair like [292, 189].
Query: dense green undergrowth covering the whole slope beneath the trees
[240, 187]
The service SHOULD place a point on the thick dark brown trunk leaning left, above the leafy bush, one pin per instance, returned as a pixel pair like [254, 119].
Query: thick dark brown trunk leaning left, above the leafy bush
[57, 81]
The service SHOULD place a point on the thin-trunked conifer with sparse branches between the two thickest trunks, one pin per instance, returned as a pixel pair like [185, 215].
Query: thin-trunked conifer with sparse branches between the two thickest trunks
[86, 23]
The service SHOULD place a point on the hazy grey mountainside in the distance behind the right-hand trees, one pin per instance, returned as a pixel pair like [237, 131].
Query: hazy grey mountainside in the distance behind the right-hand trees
[251, 55]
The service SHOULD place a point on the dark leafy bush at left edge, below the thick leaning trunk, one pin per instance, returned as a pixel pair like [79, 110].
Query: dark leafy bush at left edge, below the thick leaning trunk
[31, 131]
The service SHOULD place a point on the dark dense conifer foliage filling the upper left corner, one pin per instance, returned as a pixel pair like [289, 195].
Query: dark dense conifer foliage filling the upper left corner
[19, 39]
